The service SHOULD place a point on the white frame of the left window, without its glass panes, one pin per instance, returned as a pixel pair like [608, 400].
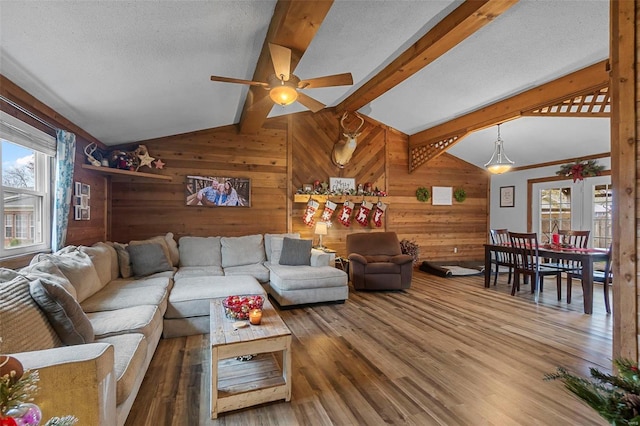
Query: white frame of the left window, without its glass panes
[20, 133]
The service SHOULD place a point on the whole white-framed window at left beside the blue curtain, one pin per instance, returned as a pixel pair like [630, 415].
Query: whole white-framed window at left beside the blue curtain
[26, 158]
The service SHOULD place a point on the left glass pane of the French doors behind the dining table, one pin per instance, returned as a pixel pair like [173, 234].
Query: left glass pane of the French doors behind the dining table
[555, 211]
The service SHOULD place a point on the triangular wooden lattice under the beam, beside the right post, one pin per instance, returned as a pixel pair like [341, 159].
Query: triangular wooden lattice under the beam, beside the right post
[596, 103]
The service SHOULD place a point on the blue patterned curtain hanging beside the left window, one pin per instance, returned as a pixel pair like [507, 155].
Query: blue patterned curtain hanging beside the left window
[65, 155]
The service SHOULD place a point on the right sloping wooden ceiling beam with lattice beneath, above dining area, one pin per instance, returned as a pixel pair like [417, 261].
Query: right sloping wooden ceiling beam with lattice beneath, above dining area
[591, 78]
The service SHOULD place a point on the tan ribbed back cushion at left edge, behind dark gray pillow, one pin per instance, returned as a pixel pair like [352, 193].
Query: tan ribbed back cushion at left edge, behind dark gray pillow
[23, 326]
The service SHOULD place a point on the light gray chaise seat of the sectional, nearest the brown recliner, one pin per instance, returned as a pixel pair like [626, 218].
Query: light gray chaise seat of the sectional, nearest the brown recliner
[299, 285]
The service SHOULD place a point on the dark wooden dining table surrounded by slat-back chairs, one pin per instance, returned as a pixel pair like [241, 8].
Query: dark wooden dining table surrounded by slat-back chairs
[586, 256]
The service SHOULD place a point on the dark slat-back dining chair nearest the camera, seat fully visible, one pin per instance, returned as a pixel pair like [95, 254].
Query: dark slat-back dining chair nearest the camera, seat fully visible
[526, 262]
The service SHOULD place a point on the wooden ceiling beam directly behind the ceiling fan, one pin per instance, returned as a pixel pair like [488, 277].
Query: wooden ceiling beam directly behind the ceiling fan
[293, 25]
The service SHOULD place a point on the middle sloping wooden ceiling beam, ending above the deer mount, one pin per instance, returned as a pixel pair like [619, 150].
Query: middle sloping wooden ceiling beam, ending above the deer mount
[466, 19]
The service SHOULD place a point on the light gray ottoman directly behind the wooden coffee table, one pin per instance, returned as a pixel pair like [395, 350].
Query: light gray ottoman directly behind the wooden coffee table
[188, 308]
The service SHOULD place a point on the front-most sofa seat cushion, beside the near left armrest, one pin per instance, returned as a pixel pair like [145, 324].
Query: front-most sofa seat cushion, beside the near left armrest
[130, 352]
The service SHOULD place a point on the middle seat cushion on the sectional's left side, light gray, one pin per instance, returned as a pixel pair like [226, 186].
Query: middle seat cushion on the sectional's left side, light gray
[142, 319]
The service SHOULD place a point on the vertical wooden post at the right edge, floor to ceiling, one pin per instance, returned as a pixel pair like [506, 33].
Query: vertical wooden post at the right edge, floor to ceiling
[625, 112]
